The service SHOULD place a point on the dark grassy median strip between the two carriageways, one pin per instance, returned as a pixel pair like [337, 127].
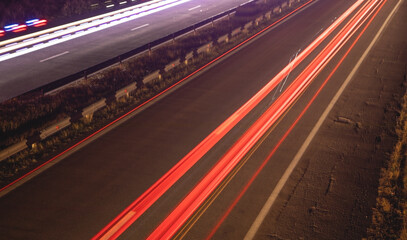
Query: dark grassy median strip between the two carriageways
[25, 116]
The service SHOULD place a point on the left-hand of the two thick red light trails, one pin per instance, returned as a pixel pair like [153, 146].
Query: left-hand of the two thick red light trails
[116, 227]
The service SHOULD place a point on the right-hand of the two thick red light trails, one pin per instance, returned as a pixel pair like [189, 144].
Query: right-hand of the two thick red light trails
[211, 181]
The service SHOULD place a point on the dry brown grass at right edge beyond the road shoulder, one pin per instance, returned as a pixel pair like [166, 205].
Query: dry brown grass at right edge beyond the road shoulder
[389, 219]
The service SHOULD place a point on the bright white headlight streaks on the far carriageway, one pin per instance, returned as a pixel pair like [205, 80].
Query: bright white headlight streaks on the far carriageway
[89, 27]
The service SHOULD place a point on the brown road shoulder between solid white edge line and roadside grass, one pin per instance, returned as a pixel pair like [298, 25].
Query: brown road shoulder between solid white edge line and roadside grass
[333, 189]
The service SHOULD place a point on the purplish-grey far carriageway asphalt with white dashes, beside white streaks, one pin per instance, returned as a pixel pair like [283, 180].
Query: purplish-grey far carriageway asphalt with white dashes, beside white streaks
[26, 72]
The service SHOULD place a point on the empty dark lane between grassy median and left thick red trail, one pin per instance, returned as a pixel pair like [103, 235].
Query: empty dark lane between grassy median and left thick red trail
[91, 186]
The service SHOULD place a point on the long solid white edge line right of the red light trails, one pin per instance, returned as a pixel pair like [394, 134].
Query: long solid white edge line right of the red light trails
[270, 201]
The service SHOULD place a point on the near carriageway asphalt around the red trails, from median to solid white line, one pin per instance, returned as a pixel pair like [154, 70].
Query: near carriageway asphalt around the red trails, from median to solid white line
[77, 197]
